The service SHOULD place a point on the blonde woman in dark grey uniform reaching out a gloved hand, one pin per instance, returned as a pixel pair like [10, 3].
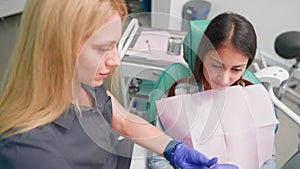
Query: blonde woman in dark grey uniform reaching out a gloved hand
[55, 112]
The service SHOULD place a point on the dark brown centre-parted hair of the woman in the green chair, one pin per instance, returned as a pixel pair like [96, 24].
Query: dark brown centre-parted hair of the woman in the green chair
[226, 28]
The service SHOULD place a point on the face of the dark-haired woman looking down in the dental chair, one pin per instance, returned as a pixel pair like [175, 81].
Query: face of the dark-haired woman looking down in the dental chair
[223, 67]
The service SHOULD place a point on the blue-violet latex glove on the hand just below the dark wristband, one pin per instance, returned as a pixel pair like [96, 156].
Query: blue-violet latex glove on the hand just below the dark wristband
[188, 158]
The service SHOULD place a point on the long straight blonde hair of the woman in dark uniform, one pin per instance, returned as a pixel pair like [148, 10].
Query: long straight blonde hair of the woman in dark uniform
[37, 87]
